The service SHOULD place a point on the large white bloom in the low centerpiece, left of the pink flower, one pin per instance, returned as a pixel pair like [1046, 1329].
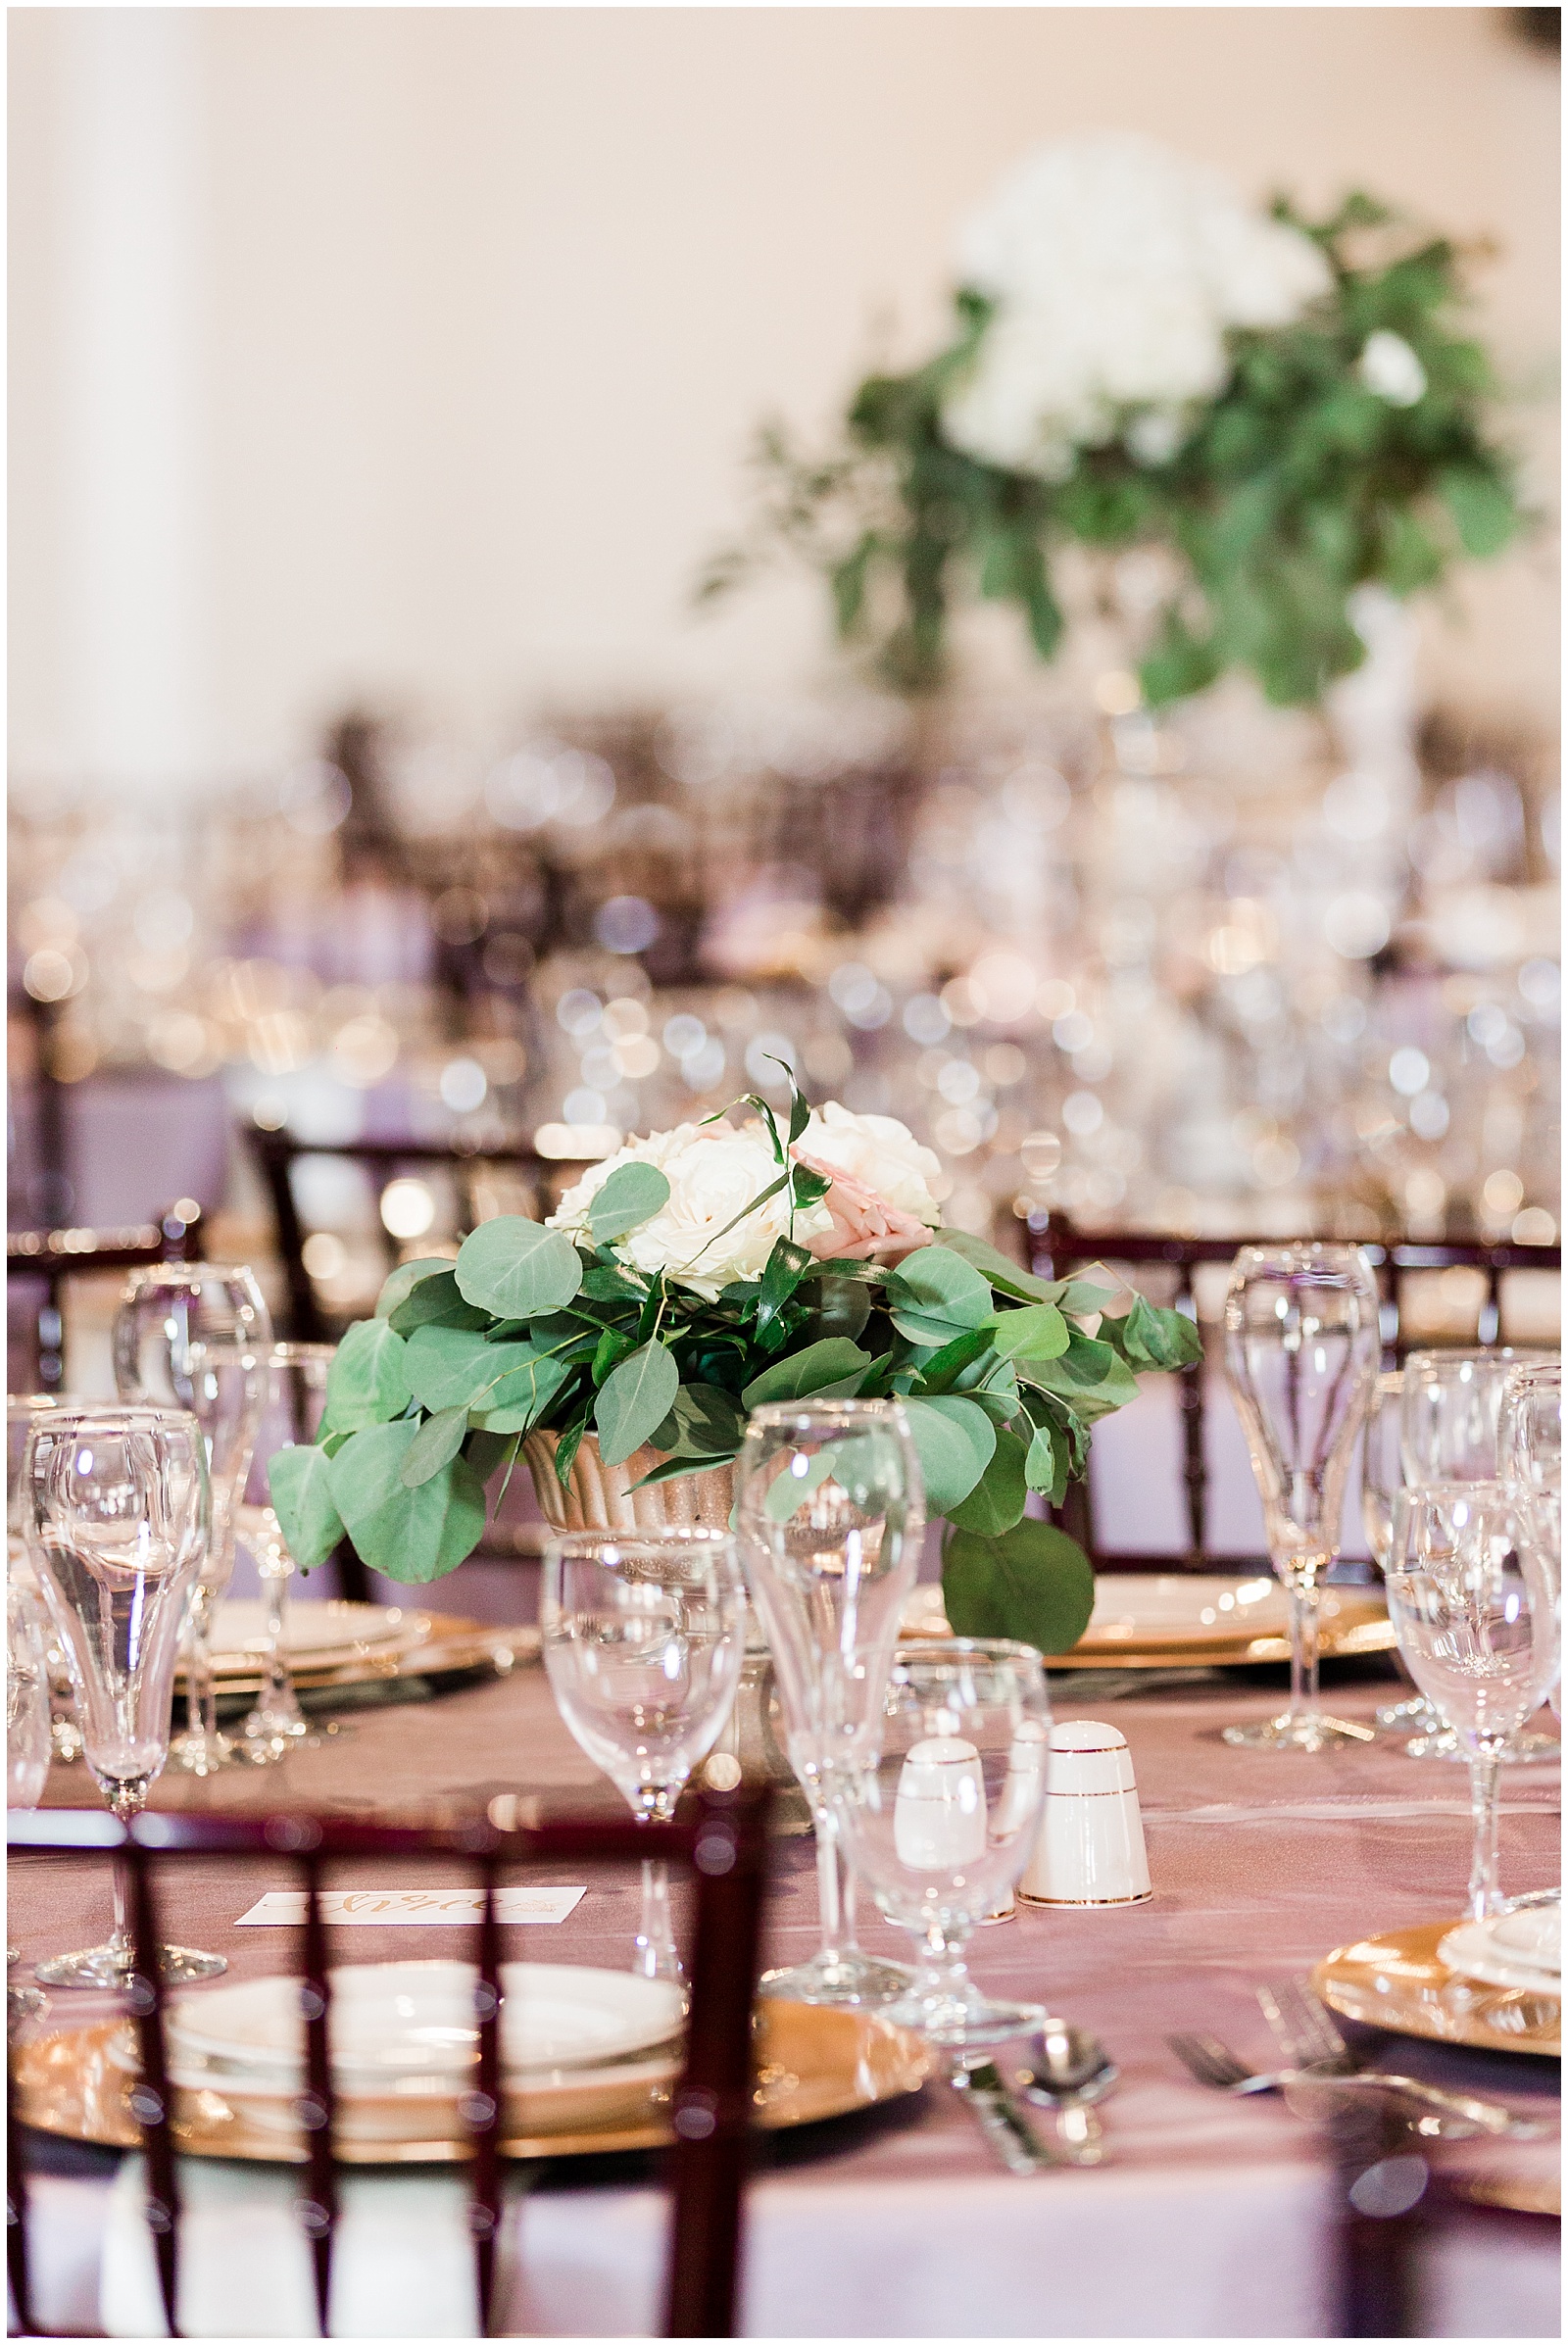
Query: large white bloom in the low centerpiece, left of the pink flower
[714, 1174]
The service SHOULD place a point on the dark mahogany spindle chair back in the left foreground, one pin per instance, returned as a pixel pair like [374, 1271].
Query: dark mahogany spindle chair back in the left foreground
[721, 1835]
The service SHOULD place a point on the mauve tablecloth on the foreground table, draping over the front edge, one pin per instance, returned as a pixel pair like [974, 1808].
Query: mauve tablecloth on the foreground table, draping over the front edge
[1213, 2220]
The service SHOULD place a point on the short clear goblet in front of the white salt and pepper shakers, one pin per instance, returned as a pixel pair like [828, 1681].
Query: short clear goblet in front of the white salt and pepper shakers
[941, 1821]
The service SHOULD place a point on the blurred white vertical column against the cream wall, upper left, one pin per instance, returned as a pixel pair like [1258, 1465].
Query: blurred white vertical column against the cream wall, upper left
[132, 318]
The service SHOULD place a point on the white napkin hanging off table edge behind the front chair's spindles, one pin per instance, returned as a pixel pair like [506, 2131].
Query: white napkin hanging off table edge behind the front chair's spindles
[402, 2255]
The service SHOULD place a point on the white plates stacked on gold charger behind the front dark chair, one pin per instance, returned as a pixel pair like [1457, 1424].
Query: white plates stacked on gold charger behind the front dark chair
[418, 2018]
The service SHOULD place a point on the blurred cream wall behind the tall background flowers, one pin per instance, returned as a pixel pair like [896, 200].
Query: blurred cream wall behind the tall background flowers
[414, 351]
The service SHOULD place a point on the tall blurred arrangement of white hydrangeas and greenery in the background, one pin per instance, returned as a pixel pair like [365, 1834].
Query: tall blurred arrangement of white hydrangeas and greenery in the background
[1286, 405]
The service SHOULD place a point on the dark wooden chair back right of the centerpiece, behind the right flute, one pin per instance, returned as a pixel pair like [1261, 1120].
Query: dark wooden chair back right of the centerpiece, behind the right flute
[1056, 1246]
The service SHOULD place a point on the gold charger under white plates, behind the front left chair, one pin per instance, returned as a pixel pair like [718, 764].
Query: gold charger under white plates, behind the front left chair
[810, 2065]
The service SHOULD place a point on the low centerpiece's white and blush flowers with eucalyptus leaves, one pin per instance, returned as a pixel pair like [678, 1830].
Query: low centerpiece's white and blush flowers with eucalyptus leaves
[683, 1284]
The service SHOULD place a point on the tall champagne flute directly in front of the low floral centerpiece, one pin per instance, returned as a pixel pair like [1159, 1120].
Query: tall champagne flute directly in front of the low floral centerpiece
[831, 1514]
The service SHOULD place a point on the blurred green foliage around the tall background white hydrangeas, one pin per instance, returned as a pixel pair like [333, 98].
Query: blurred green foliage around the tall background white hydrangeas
[1295, 487]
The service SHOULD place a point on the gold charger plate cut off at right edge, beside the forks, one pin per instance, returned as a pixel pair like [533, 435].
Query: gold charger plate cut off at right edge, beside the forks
[1398, 1983]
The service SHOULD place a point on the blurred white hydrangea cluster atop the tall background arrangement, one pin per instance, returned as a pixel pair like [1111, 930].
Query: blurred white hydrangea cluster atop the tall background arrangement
[1117, 271]
